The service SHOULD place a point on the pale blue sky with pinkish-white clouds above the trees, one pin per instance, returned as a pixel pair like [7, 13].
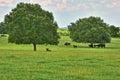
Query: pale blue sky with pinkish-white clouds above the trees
[67, 11]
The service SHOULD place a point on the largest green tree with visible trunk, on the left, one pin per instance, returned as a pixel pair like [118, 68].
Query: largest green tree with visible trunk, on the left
[30, 24]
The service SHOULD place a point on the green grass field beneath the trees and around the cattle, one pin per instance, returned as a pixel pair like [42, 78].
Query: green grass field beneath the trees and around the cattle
[20, 62]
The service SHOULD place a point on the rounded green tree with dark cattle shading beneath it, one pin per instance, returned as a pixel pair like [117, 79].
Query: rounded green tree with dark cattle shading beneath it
[91, 30]
